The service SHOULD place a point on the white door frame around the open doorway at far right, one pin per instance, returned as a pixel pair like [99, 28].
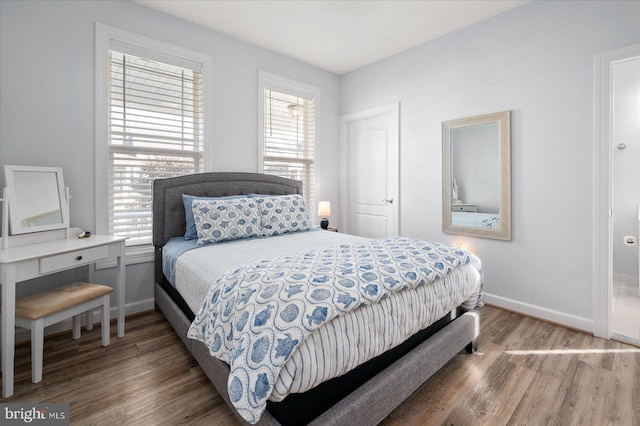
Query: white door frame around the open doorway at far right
[602, 250]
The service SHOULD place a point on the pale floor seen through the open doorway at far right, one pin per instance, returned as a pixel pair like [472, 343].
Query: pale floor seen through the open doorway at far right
[626, 313]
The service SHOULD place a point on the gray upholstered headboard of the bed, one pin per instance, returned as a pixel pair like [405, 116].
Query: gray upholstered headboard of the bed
[168, 209]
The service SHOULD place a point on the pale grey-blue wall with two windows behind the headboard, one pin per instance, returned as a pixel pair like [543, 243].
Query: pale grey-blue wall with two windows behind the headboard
[47, 102]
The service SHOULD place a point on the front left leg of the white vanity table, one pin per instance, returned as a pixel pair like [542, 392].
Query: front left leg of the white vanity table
[8, 279]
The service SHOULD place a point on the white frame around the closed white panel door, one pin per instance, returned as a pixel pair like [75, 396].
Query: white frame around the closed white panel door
[394, 111]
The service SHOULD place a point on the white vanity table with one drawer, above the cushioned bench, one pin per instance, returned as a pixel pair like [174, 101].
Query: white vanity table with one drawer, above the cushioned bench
[21, 263]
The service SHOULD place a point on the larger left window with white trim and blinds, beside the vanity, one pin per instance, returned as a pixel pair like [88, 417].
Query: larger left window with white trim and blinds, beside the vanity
[150, 123]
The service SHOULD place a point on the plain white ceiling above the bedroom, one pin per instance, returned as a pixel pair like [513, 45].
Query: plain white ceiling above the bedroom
[338, 36]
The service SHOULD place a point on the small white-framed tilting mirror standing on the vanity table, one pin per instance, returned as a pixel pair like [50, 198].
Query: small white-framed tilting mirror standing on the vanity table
[37, 200]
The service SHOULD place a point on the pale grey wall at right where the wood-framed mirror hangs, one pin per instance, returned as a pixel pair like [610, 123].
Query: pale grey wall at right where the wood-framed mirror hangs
[538, 61]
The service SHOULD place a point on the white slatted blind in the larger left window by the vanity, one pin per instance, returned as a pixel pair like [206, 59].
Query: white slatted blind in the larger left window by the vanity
[155, 130]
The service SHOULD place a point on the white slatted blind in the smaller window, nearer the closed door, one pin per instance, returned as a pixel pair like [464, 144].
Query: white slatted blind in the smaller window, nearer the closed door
[289, 139]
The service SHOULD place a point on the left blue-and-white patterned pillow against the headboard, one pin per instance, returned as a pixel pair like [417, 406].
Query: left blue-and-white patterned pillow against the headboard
[225, 220]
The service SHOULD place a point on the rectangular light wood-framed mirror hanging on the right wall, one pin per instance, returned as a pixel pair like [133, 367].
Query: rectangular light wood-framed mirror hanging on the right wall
[476, 176]
